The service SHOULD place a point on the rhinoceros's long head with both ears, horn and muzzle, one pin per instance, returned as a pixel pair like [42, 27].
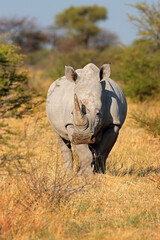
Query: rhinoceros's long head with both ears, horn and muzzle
[87, 112]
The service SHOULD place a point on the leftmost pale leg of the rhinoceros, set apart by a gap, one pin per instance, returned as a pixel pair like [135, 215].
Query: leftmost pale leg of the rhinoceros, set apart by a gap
[65, 147]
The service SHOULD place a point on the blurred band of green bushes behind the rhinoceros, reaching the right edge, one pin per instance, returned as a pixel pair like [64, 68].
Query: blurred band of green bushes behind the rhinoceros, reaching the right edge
[135, 68]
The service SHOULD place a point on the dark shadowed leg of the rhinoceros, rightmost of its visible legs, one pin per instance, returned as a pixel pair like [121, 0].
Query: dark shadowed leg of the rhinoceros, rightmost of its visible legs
[103, 149]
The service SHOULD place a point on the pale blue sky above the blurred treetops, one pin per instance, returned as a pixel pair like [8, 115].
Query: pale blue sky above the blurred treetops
[45, 10]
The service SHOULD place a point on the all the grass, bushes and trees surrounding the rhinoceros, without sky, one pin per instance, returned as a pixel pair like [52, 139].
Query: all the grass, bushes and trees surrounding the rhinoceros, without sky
[38, 200]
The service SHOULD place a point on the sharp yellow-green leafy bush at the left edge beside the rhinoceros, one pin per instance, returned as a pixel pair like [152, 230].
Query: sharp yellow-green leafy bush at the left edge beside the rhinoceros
[16, 95]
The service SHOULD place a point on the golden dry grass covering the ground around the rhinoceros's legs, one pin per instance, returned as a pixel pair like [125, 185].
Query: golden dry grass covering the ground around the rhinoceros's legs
[39, 201]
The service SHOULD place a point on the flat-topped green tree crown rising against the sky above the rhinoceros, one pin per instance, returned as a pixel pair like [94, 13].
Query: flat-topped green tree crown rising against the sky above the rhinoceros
[81, 22]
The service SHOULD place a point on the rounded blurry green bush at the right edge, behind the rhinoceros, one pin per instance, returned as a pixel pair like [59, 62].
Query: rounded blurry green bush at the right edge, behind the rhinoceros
[140, 70]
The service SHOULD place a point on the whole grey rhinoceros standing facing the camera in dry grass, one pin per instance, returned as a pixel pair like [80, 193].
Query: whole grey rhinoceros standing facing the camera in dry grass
[86, 108]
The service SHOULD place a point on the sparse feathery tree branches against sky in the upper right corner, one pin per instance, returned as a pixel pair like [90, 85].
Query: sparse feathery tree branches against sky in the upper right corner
[147, 21]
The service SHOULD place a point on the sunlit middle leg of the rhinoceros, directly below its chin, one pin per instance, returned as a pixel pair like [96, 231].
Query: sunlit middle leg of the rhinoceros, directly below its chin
[85, 157]
